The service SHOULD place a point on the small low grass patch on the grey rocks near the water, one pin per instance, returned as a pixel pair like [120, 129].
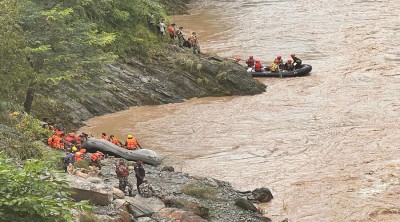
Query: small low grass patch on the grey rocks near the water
[201, 191]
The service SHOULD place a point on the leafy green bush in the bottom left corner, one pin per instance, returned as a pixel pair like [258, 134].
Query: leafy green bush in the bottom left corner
[34, 192]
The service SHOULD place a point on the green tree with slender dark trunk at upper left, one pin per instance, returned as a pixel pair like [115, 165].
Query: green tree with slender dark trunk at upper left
[57, 42]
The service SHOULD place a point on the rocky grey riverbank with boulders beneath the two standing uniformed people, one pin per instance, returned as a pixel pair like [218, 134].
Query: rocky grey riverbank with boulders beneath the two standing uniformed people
[176, 196]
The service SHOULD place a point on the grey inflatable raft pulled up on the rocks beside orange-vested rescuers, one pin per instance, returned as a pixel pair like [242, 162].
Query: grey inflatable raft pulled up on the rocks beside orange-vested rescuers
[147, 156]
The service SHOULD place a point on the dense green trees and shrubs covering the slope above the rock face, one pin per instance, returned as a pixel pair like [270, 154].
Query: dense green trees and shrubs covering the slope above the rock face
[52, 41]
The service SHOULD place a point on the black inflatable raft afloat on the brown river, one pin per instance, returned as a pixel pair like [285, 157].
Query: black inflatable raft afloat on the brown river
[304, 70]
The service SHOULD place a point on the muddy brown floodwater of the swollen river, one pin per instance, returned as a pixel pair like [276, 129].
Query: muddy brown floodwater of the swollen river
[327, 145]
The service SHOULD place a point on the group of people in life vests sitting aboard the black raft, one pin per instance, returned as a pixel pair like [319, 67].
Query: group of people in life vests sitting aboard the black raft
[276, 66]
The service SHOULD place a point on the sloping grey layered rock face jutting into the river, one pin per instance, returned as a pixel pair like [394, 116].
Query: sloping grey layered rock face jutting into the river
[171, 76]
